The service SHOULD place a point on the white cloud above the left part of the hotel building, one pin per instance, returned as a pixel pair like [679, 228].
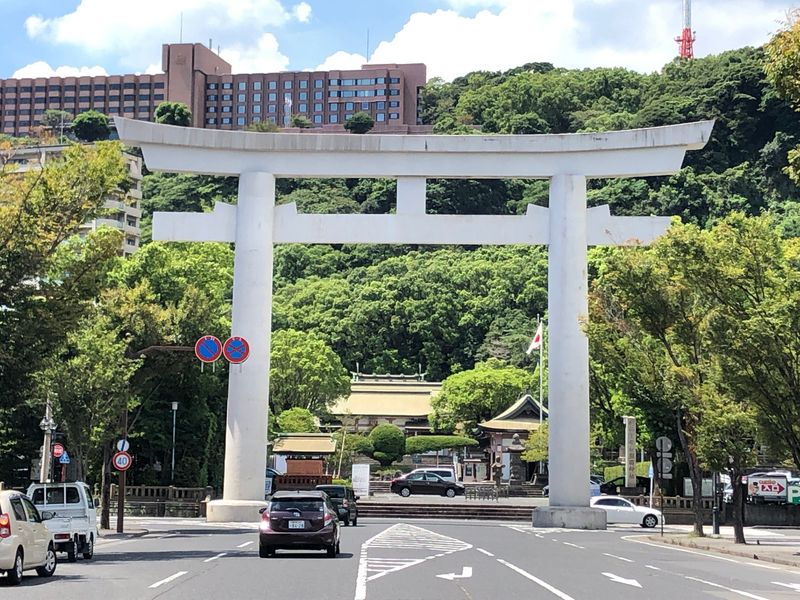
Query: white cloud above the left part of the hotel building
[111, 27]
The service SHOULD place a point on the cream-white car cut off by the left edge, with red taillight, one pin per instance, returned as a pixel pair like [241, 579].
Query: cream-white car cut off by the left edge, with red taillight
[25, 541]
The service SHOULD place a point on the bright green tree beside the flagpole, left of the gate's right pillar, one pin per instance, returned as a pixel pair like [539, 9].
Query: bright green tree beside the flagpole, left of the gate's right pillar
[469, 397]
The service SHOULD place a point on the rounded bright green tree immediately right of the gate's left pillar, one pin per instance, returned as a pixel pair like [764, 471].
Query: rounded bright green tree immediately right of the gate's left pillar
[305, 373]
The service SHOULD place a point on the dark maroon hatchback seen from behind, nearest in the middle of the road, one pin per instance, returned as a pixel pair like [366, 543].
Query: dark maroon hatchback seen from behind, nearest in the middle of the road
[301, 520]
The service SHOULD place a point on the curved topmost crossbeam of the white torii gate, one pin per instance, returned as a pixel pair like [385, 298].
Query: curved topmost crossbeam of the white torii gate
[631, 153]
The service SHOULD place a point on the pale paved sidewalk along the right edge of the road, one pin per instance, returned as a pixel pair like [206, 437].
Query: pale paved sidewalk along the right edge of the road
[768, 546]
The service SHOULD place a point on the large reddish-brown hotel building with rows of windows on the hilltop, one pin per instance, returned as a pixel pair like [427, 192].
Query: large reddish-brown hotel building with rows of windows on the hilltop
[195, 75]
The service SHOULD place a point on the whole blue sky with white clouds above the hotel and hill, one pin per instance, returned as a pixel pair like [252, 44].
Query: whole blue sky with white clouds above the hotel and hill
[453, 37]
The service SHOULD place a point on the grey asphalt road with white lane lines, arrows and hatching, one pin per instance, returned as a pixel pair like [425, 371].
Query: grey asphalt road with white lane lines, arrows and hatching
[415, 560]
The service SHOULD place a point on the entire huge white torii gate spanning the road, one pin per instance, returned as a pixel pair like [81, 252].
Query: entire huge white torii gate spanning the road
[255, 224]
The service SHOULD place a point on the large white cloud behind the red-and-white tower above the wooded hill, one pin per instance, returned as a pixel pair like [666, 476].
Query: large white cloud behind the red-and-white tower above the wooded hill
[571, 33]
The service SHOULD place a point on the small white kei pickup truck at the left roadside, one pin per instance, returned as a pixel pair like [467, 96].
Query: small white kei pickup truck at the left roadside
[74, 517]
